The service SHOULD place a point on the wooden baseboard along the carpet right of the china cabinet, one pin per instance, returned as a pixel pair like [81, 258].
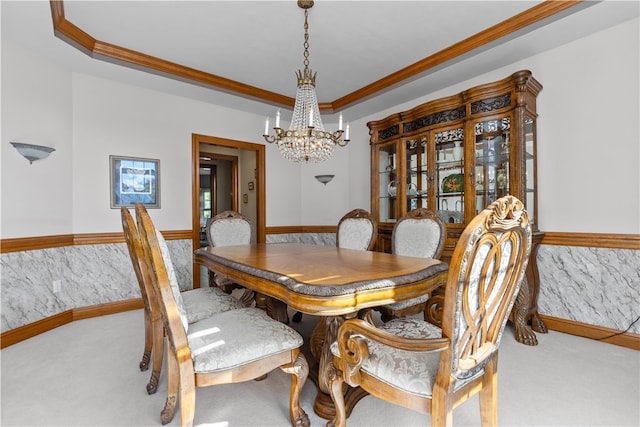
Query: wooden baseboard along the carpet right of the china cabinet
[611, 336]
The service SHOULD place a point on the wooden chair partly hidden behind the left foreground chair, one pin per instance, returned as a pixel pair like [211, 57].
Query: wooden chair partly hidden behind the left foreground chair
[199, 303]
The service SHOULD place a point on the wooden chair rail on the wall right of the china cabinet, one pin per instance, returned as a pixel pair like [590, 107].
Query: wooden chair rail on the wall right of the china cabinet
[592, 240]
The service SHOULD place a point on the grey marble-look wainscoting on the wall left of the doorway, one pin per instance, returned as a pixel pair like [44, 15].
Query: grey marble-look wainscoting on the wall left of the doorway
[90, 275]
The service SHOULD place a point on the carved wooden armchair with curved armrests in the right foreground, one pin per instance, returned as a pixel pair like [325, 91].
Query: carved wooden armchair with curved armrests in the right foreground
[415, 364]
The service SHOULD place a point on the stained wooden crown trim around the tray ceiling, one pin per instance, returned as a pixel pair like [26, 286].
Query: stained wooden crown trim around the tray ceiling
[76, 37]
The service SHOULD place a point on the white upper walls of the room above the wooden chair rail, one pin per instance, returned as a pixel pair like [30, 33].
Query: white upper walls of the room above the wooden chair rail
[588, 145]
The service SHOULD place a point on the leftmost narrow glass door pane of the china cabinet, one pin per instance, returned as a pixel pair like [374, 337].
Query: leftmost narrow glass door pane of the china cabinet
[388, 182]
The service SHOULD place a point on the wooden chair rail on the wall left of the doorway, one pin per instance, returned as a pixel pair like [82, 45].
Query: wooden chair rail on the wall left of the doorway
[46, 242]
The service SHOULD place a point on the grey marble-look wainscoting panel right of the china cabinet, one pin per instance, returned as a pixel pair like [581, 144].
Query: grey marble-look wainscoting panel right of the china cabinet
[597, 286]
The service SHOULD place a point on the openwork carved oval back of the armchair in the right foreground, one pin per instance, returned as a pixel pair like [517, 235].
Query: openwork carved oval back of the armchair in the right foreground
[487, 268]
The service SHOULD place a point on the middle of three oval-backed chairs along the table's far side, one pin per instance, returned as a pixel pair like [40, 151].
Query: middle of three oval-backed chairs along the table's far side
[356, 230]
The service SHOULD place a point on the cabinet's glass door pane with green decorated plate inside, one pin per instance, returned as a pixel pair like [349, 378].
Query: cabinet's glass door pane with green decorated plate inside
[449, 175]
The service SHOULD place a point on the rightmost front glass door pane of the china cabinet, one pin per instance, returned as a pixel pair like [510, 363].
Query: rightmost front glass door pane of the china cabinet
[492, 160]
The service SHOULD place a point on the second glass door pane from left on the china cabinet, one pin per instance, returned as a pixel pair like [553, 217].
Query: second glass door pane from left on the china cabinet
[417, 173]
